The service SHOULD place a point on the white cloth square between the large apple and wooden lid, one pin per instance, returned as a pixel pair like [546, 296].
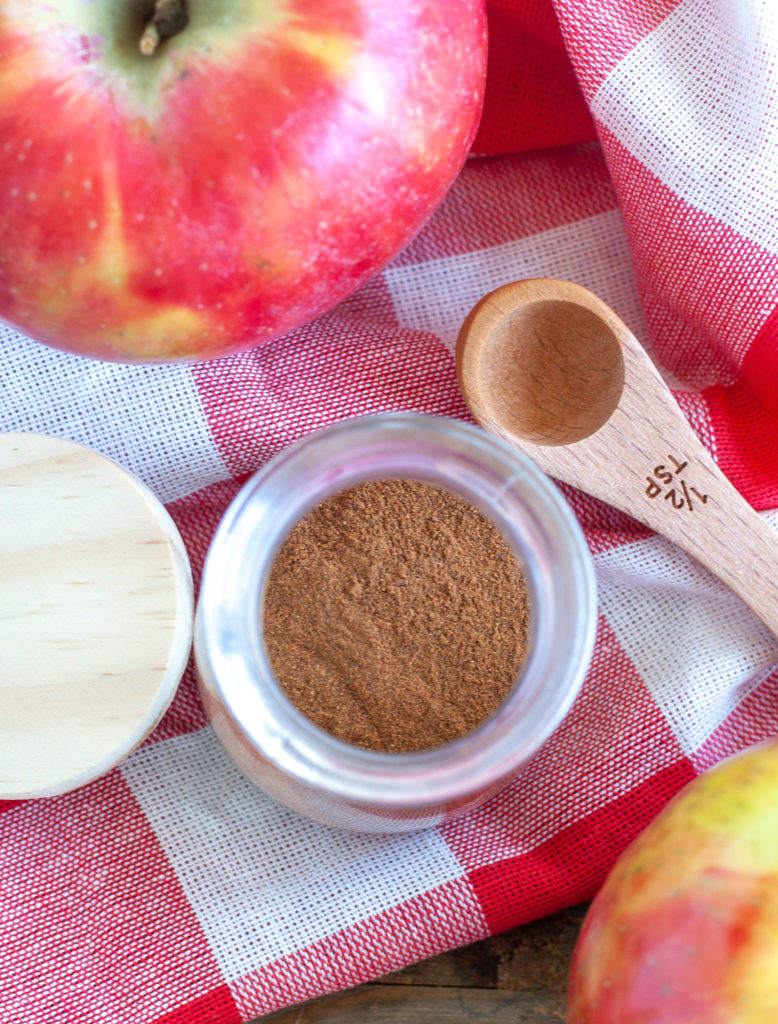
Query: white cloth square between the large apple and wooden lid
[149, 419]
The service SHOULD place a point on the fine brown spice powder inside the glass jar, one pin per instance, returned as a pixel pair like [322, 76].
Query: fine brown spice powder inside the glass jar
[397, 617]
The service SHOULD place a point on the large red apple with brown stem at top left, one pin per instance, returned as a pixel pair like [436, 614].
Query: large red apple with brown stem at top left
[258, 167]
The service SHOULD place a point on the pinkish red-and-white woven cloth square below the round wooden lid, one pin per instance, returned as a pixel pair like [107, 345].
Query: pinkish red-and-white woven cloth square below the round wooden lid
[96, 926]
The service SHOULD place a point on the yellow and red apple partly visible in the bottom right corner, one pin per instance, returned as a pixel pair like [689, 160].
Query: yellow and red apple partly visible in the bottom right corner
[685, 930]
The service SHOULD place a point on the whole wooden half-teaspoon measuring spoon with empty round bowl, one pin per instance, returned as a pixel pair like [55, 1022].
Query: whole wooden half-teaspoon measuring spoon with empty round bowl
[549, 367]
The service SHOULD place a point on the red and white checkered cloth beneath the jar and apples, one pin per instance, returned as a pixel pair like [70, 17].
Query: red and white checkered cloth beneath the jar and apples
[171, 891]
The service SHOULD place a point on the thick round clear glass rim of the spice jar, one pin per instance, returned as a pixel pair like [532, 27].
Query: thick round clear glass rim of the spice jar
[242, 675]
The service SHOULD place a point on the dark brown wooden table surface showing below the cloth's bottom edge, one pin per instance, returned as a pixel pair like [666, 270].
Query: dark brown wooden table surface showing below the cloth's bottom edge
[520, 977]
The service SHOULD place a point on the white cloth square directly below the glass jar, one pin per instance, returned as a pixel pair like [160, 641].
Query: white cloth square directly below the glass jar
[263, 881]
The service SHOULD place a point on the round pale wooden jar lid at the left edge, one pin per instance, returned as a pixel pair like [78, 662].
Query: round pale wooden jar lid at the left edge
[96, 615]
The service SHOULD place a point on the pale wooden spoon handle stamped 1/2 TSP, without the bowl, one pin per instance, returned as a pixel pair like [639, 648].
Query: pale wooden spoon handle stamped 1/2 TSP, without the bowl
[653, 465]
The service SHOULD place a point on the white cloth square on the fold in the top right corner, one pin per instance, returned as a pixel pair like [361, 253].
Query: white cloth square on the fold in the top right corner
[696, 102]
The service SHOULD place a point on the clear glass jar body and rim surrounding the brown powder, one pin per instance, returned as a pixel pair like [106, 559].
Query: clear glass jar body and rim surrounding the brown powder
[281, 750]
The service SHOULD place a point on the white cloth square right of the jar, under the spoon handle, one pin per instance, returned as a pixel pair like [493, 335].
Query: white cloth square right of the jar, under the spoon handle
[698, 648]
